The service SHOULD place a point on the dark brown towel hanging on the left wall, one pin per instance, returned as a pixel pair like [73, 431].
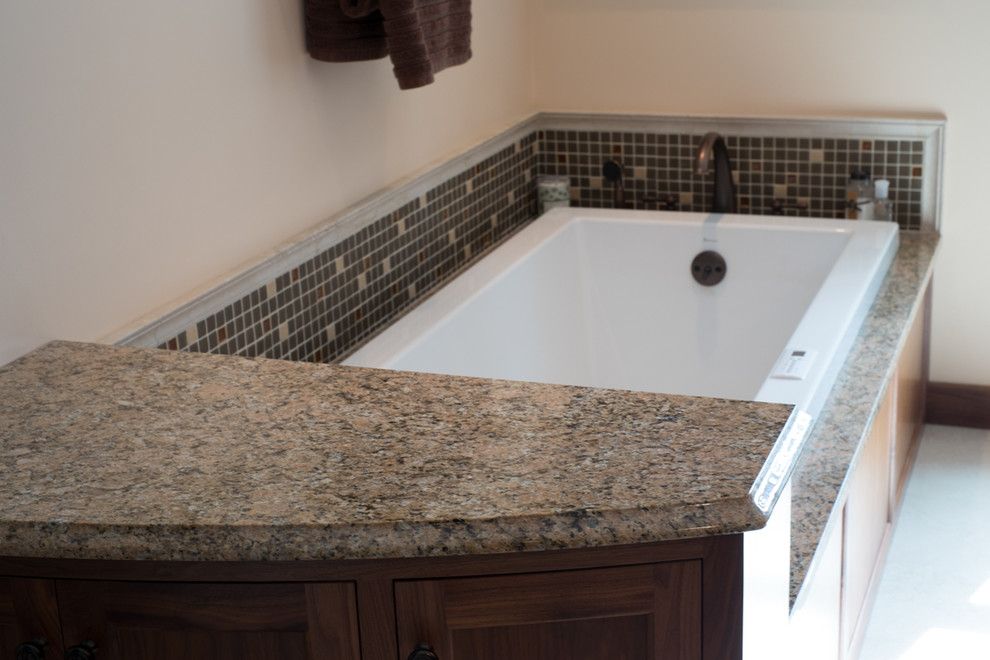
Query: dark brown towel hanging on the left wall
[423, 37]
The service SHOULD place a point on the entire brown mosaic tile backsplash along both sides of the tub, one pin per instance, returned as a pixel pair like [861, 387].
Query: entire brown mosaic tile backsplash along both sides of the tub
[322, 309]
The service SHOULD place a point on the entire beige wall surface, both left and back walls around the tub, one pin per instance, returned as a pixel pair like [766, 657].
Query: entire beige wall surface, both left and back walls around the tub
[147, 148]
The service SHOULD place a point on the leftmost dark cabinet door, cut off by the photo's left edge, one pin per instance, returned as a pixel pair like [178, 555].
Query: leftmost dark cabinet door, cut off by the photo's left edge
[28, 616]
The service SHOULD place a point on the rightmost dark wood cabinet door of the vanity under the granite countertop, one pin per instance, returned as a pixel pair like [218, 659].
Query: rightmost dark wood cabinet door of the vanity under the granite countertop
[626, 613]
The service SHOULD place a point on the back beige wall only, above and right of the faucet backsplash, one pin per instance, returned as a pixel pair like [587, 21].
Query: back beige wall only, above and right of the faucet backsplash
[806, 58]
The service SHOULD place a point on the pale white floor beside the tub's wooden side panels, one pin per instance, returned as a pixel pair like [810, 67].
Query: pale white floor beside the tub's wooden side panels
[933, 602]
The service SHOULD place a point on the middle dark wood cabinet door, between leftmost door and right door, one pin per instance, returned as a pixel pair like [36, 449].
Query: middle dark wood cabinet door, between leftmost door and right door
[168, 621]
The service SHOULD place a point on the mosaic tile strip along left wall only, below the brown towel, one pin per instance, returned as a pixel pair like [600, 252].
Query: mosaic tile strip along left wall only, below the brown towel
[326, 306]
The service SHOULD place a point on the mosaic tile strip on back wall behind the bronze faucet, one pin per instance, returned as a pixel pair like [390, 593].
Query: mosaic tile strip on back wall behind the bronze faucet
[805, 176]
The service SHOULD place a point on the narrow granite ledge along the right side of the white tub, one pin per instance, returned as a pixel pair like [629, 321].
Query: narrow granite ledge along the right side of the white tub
[834, 443]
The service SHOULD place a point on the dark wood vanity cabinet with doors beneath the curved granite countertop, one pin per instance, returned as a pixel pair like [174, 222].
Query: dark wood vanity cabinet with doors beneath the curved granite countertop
[673, 600]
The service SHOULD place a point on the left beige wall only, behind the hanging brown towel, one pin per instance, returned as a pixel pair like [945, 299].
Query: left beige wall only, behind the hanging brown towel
[149, 147]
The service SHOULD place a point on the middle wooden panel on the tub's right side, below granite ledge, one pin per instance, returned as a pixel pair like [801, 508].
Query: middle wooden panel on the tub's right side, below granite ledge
[866, 518]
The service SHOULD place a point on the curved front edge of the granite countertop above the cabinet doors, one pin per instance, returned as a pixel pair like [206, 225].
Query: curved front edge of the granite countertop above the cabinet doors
[224, 543]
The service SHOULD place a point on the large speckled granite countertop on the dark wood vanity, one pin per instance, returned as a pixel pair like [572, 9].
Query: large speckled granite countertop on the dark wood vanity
[114, 453]
